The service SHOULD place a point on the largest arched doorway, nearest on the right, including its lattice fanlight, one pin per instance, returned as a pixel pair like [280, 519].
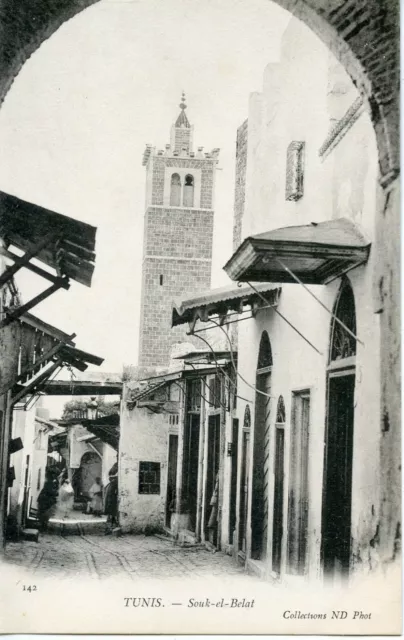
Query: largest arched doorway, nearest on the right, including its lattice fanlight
[338, 453]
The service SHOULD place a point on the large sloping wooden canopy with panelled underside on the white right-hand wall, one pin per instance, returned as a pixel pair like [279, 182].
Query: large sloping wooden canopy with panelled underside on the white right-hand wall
[314, 254]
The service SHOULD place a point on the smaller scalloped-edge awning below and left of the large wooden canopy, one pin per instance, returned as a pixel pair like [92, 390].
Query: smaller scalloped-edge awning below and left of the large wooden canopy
[220, 302]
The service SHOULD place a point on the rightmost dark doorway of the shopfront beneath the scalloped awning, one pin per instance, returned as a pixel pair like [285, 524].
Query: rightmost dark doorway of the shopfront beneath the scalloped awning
[212, 487]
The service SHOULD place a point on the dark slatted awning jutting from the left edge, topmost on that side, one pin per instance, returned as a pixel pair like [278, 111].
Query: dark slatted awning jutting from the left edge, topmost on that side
[62, 243]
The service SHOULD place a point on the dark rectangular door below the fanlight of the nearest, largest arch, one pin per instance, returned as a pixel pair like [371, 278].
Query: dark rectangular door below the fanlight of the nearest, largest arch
[337, 498]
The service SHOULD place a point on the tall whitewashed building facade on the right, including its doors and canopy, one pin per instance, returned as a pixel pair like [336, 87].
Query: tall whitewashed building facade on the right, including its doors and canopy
[308, 449]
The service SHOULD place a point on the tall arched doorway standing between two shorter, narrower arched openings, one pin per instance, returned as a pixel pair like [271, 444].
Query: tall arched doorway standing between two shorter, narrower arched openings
[260, 476]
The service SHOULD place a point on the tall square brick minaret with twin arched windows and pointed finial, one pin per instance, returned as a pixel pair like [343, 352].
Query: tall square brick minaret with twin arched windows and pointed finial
[178, 235]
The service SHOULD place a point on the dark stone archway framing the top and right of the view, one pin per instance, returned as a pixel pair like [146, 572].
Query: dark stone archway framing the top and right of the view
[364, 36]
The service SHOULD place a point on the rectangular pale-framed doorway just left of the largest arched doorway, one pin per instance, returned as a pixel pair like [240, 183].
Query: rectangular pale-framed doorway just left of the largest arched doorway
[298, 508]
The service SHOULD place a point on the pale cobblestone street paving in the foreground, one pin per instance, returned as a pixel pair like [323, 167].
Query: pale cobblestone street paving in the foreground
[101, 557]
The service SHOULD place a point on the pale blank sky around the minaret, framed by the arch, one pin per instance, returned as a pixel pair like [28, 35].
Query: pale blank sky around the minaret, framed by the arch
[78, 116]
